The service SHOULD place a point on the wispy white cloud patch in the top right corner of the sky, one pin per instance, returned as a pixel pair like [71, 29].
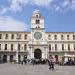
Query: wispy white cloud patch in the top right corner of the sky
[65, 5]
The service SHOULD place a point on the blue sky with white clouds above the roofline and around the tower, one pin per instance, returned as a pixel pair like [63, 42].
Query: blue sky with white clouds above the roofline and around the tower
[59, 14]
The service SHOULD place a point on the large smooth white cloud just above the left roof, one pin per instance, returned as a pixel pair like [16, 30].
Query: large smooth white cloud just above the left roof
[10, 24]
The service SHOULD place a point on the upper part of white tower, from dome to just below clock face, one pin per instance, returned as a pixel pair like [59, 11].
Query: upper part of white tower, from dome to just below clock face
[37, 27]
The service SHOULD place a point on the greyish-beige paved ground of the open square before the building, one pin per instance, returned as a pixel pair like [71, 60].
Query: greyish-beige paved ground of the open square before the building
[18, 69]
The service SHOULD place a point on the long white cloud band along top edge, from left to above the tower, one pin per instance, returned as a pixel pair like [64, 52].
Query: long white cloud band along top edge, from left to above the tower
[17, 5]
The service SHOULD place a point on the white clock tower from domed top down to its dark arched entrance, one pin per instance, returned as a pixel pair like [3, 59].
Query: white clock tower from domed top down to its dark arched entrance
[38, 43]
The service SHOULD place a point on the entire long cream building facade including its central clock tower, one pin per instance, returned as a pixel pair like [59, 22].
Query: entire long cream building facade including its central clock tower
[37, 43]
